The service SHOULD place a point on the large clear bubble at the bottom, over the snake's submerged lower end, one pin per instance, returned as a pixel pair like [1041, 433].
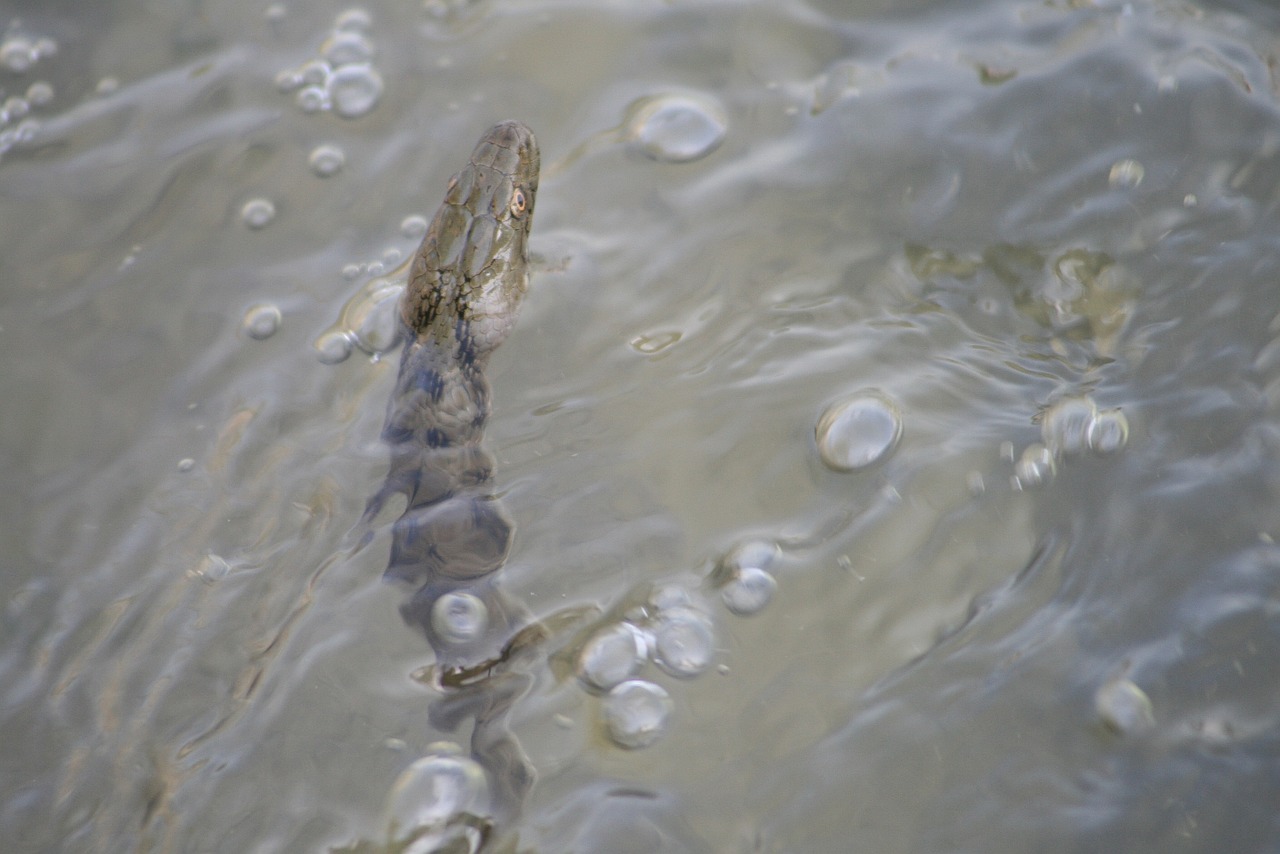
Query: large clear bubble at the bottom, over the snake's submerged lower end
[433, 791]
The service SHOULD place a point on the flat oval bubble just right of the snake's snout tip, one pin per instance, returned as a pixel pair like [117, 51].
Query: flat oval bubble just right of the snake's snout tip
[676, 129]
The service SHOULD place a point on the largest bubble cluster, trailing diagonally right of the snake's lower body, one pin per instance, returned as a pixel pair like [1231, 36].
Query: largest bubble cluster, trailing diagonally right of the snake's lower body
[674, 632]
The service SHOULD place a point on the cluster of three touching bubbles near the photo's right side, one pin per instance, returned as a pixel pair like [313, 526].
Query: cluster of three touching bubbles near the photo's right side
[1071, 427]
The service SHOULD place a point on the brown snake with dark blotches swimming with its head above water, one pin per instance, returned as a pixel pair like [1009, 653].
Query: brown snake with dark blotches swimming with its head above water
[467, 284]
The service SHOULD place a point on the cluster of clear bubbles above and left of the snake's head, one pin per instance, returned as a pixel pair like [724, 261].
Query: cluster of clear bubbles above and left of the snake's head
[342, 79]
